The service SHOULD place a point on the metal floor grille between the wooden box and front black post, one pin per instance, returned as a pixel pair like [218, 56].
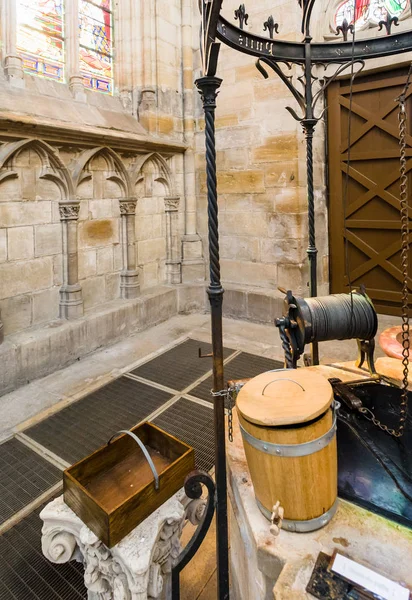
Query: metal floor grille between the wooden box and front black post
[193, 424]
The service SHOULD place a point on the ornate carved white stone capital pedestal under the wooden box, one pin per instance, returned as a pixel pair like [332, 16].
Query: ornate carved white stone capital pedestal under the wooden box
[138, 567]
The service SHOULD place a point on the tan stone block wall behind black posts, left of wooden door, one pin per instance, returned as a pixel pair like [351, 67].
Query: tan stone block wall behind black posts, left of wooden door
[261, 168]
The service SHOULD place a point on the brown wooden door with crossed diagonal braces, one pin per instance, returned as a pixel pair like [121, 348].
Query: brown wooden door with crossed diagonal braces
[364, 220]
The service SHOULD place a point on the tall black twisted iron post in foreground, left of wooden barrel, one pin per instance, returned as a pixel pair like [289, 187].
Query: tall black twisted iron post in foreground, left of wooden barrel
[208, 87]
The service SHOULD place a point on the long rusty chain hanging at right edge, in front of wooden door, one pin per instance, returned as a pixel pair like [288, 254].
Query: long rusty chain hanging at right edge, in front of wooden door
[368, 414]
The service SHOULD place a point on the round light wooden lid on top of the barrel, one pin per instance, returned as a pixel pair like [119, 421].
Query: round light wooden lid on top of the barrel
[284, 397]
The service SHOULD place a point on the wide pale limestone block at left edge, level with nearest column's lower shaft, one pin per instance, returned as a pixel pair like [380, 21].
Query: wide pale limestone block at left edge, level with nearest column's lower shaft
[26, 276]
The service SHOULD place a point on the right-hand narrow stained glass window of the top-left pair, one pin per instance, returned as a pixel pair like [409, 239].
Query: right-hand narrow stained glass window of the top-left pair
[96, 46]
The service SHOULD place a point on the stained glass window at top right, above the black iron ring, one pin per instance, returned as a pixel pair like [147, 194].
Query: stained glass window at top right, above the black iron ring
[368, 11]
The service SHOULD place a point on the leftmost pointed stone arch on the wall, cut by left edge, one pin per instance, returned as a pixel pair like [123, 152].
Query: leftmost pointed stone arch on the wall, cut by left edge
[53, 168]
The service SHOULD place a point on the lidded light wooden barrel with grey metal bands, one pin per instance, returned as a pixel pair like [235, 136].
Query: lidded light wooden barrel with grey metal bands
[288, 427]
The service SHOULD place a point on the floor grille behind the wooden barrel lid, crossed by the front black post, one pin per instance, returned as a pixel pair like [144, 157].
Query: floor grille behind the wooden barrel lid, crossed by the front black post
[242, 366]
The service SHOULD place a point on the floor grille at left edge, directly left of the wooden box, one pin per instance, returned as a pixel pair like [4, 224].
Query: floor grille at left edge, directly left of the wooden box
[24, 476]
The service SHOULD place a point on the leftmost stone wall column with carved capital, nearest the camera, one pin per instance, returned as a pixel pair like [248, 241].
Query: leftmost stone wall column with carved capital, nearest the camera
[71, 300]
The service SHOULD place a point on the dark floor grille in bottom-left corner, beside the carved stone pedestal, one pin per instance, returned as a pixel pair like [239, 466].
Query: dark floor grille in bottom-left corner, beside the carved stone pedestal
[25, 574]
